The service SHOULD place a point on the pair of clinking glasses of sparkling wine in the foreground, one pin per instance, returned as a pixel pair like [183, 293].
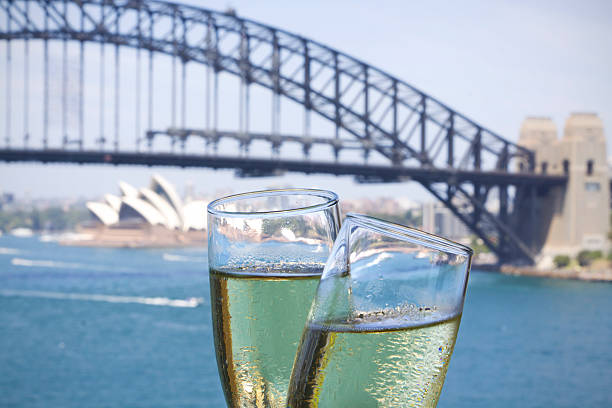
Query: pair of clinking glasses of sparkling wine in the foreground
[308, 314]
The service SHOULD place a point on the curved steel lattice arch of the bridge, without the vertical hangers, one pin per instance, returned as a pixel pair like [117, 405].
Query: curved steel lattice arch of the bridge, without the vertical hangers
[418, 137]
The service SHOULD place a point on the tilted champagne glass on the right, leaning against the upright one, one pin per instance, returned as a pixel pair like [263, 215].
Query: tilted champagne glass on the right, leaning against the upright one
[383, 324]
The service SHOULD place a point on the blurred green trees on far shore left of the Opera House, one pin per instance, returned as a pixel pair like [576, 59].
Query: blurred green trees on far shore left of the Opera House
[48, 219]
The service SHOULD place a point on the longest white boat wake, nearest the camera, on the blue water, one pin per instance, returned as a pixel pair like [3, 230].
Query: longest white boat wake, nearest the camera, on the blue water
[152, 301]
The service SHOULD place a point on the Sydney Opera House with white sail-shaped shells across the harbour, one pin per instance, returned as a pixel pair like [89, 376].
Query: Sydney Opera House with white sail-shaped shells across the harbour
[147, 217]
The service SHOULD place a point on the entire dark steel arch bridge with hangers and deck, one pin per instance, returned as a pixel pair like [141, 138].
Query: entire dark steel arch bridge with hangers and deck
[381, 128]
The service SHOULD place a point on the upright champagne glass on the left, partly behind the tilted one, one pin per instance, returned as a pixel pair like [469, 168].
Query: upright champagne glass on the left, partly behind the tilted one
[266, 253]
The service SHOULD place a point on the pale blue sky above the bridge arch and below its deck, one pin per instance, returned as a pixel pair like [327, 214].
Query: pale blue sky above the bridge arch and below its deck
[497, 62]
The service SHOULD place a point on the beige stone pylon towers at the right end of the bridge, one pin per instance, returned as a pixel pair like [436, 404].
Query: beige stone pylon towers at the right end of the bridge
[576, 214]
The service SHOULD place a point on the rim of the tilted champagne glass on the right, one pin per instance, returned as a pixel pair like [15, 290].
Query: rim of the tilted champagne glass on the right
[409, 234]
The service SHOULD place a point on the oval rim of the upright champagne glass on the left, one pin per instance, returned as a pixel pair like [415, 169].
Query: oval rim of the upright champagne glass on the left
[330, 198]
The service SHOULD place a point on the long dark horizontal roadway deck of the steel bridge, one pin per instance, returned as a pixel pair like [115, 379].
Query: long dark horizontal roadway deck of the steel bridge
[259, 166]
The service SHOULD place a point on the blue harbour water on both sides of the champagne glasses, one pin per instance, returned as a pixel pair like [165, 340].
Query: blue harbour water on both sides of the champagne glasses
[91, 327]
